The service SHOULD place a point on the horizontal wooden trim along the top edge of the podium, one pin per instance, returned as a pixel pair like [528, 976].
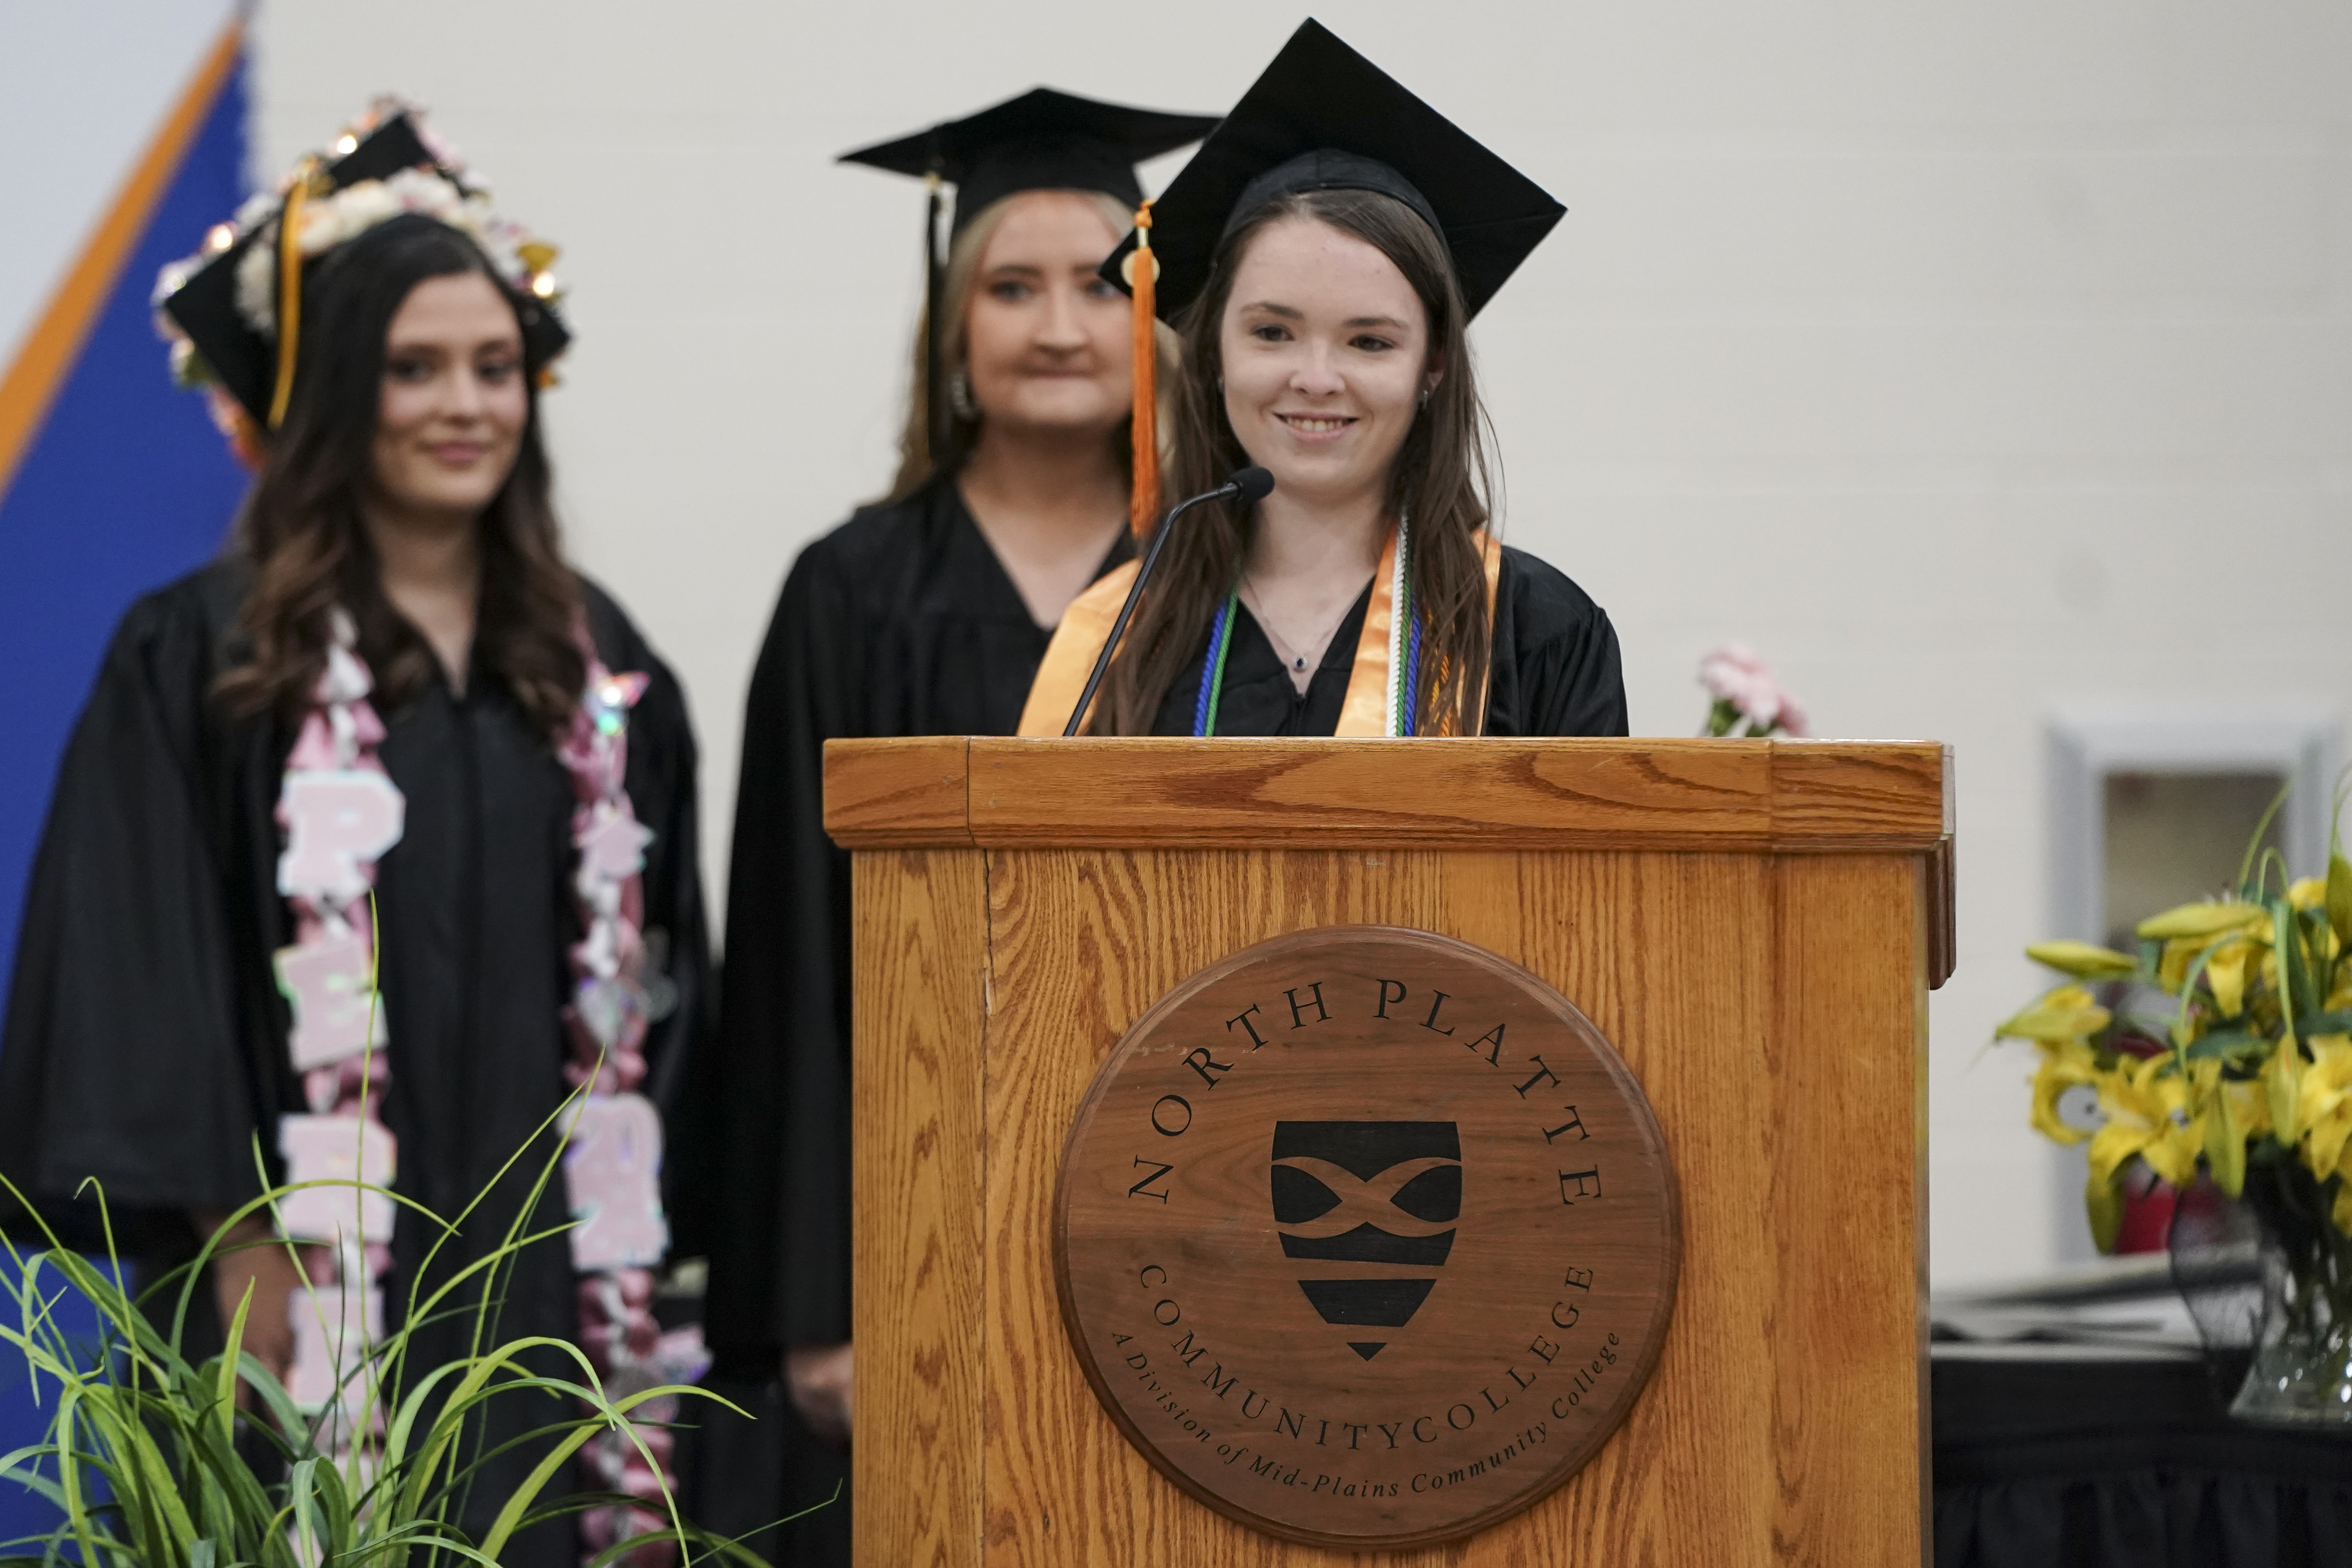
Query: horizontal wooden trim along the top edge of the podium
[1786, 796]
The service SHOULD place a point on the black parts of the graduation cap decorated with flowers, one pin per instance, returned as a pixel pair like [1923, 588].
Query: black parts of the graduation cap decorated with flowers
[243, 361]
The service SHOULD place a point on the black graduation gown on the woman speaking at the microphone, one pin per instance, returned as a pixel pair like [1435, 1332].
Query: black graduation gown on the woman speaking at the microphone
[1556, 669]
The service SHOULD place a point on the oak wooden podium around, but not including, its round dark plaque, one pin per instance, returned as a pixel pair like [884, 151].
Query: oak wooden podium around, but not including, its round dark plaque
[1756, 927]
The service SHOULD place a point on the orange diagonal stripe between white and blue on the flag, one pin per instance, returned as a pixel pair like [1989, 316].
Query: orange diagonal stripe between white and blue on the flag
[58, 340]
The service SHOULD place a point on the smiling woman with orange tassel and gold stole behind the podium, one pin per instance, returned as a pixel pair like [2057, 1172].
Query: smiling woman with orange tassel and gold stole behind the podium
[1323, 257]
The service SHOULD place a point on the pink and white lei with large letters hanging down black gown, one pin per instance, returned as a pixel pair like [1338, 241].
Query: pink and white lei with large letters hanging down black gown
[342, 812]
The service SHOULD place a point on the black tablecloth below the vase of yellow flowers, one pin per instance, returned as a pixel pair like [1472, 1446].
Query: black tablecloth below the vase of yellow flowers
[2125, 1463]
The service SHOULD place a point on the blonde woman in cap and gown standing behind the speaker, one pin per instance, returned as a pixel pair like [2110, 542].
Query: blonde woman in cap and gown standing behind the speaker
[923, 615]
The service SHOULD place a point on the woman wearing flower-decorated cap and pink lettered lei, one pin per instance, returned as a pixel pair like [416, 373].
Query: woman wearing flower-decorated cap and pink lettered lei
[377, 836]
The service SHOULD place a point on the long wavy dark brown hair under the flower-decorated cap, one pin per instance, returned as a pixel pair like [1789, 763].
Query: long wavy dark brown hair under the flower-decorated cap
[302, 528]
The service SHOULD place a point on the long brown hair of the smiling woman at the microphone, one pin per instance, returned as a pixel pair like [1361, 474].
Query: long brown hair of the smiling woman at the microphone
[1441, 483]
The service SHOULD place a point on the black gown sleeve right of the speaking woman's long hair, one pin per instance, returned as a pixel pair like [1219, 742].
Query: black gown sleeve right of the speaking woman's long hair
[1556, 657]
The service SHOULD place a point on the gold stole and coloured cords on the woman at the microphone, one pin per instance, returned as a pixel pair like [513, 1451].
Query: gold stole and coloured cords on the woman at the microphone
[1382, 685]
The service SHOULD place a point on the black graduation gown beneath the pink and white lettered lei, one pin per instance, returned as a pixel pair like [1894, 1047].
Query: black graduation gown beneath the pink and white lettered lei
[147, 1043]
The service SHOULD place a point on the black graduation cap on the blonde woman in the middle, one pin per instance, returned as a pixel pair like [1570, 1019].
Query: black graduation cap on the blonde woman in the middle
[1038, 142]
